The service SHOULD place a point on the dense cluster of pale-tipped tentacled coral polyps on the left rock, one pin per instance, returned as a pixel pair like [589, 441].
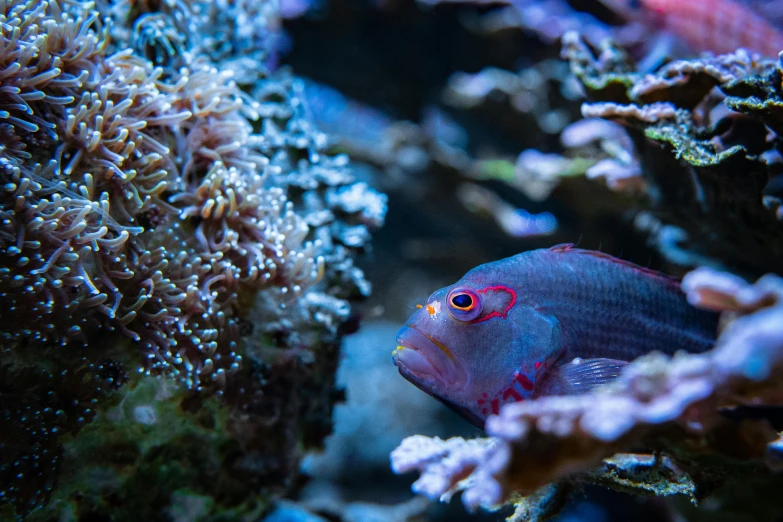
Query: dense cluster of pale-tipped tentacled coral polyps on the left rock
[135, 145]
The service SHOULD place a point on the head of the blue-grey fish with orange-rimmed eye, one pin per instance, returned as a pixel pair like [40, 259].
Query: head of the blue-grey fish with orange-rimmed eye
[462, 344]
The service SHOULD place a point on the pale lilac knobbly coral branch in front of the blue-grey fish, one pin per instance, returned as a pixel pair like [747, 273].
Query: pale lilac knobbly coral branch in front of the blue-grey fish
[675, 405]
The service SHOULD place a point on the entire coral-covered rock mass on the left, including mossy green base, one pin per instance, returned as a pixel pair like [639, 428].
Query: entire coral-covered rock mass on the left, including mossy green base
[167, 210]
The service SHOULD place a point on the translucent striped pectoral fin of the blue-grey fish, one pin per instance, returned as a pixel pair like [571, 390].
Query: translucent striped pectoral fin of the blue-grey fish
[579, 376]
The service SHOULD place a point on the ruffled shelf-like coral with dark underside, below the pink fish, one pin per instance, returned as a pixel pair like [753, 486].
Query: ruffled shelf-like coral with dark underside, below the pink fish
[695, 125]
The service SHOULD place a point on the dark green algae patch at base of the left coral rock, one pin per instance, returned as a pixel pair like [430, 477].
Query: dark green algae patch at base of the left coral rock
[149, 454]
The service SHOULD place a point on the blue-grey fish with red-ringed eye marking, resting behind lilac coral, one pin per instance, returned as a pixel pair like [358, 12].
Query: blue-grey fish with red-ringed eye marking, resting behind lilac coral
[557, 321]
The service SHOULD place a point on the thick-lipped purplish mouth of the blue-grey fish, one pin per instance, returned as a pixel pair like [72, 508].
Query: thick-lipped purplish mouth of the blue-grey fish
[422, 358]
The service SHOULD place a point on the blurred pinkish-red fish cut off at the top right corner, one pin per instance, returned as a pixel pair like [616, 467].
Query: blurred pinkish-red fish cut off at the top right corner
[720, 26]
